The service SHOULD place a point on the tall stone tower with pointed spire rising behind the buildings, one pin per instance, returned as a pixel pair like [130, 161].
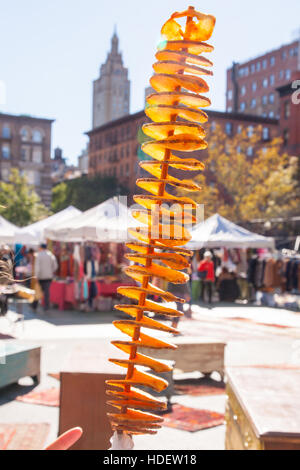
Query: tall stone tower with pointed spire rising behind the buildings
[111, 91]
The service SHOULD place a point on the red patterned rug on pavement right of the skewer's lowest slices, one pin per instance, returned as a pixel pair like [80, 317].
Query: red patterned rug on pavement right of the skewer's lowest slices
[191, 419]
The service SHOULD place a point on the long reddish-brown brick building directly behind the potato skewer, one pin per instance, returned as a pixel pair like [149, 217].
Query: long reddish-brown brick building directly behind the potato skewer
[114, 148]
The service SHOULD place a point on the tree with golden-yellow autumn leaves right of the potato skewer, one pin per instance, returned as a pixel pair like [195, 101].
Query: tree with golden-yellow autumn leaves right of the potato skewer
[242, 187]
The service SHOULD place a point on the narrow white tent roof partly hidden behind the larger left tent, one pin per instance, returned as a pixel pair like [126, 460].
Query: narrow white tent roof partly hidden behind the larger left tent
[35, 233]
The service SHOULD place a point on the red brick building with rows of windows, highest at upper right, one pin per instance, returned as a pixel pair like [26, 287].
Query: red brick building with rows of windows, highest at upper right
[251, 86]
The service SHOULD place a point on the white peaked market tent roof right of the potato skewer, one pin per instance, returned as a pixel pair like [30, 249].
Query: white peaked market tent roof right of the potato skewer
[217, 231]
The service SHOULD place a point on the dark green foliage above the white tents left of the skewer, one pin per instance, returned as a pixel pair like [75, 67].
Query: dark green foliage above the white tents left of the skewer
[85, 192]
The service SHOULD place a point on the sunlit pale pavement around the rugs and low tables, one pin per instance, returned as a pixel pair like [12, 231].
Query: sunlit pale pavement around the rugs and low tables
[254, 335]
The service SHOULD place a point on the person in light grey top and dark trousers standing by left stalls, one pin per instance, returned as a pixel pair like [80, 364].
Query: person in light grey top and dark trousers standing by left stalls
[45, 267]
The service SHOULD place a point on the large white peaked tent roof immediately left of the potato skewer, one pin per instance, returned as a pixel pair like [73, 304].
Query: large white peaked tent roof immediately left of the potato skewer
[107, 222]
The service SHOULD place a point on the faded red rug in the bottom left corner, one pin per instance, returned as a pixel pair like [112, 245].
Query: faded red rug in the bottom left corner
[23, 436]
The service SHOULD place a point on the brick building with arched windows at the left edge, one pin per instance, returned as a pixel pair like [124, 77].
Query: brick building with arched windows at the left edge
[25, 143]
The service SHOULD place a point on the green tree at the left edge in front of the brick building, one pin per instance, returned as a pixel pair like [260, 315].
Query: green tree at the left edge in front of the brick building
[20, 203]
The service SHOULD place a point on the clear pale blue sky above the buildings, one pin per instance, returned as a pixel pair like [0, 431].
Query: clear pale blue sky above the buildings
[51, 51]
